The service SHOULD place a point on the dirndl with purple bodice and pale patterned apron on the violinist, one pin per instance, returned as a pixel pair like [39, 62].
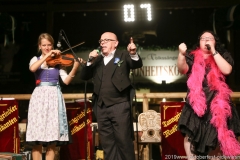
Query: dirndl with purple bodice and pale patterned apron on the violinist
[47, 119]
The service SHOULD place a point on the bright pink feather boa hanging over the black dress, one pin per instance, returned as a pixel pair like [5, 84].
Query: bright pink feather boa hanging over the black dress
[220, 108]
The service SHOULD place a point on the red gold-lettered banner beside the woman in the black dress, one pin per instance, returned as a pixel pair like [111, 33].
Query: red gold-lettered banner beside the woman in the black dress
[172, 139]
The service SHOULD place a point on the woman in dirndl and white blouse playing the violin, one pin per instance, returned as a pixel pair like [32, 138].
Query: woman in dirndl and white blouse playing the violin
[47, 120]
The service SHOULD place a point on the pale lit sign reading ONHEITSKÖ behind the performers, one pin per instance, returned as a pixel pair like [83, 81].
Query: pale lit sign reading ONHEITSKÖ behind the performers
[158, 66]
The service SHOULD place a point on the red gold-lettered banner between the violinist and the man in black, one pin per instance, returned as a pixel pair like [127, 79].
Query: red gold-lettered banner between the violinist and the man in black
[76, 118]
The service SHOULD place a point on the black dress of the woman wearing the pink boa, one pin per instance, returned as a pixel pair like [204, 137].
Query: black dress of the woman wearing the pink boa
[202, 134]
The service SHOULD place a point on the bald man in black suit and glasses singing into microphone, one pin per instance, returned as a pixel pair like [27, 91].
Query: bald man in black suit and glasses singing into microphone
[113, 95]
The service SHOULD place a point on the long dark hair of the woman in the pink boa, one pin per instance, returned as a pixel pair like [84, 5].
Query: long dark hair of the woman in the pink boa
[218, 45]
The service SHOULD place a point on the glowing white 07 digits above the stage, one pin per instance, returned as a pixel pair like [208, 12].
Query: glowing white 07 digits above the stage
[130, 13]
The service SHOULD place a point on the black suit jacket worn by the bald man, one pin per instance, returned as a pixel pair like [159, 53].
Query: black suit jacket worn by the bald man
[120, 74]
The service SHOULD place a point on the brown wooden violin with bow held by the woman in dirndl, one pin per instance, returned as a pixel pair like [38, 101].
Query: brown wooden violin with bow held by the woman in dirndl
[64, 60]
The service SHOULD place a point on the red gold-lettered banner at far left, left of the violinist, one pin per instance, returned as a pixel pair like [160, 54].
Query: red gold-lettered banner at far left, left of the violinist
[9, 133]
